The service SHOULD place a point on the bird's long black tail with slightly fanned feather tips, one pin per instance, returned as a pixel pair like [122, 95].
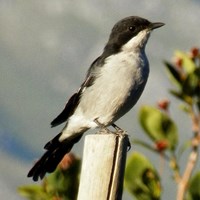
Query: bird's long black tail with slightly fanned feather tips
[52, 157]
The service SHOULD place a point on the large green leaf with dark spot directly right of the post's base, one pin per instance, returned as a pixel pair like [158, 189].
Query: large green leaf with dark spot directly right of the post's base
[141, 178]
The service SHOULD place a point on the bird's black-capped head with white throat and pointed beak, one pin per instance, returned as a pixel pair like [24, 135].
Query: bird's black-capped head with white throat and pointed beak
[130, 33]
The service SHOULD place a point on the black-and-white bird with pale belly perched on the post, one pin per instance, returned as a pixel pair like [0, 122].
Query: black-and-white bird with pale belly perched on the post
[114, 82]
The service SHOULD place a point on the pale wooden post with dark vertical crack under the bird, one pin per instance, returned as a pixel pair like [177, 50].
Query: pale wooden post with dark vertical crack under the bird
[103, 166]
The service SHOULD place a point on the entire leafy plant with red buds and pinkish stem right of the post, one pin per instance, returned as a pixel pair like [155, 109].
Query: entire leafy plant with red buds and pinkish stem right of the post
[157, 124]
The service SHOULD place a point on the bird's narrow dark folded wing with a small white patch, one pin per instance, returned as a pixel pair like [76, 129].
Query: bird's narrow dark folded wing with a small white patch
[75, 98]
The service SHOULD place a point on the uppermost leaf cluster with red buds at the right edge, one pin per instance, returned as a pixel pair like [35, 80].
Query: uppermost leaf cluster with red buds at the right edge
[185, 74]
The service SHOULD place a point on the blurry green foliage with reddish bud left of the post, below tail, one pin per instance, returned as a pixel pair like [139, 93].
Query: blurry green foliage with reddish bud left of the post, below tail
[60, 185]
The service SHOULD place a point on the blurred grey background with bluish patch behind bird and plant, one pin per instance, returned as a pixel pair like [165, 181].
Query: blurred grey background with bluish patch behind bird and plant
[46, 47]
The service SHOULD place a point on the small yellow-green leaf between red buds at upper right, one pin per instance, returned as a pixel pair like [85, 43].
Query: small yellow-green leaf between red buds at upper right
[188, 63]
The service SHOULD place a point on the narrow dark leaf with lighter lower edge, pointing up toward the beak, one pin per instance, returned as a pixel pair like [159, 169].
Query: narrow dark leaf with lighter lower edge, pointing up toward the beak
[173, 74]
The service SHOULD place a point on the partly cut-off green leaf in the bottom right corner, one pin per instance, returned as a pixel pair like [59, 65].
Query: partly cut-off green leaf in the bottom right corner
[194, 188]
